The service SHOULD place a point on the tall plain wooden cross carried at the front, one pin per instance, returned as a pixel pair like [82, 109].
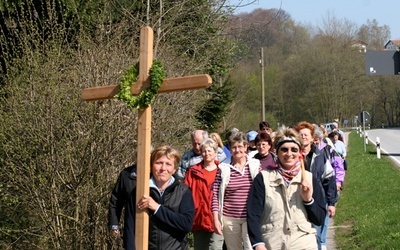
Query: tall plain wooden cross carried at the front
[144, 121]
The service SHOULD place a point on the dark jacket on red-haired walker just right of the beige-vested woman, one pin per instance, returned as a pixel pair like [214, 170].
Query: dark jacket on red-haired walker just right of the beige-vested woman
[317, 163]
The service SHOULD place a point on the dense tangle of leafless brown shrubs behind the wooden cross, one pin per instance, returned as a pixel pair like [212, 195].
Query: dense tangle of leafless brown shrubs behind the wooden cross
[61, 155]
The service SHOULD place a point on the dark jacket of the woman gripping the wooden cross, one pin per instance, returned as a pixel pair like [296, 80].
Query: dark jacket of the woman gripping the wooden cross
[173, 220]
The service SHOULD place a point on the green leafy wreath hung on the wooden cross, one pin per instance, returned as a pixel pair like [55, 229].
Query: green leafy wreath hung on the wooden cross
[147, 96]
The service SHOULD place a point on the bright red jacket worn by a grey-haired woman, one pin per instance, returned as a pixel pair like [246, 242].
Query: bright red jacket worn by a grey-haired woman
[202, 196]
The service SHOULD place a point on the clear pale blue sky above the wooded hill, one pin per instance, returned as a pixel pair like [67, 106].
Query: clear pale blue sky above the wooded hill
[314, 11]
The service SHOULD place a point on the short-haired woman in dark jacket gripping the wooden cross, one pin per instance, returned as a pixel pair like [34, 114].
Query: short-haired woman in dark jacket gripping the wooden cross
[170, 204]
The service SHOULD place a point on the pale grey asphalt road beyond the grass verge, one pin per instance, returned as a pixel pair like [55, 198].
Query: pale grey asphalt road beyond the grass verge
[389, 142]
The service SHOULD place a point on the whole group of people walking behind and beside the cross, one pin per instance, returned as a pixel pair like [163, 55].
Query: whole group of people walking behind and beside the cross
[262, 189]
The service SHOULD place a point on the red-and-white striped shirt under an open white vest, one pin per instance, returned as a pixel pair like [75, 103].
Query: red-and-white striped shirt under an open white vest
[236, 192]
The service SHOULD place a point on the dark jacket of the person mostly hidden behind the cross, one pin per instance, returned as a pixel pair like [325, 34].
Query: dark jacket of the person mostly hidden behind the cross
[124, 195]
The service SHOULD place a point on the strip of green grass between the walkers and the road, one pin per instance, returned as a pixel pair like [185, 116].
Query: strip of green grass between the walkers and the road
[368, 211]
